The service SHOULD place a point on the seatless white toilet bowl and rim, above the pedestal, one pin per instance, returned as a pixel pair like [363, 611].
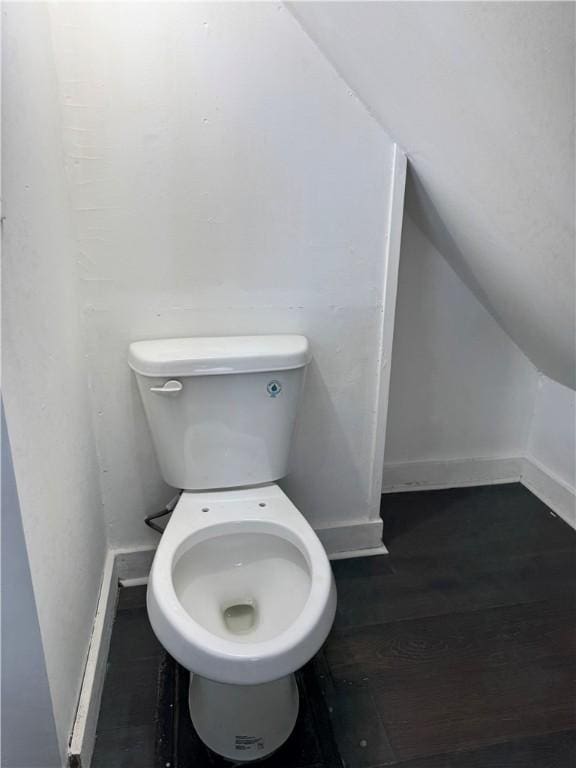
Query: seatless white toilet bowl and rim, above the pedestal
[191, 581]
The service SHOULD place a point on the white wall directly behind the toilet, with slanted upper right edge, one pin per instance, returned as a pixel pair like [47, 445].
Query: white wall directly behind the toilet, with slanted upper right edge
[225, 181]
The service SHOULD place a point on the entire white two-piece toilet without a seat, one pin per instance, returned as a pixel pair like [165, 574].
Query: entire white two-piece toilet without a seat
[241, 592]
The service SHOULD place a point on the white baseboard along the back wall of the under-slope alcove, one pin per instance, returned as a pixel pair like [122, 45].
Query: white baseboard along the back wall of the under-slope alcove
[422, 475]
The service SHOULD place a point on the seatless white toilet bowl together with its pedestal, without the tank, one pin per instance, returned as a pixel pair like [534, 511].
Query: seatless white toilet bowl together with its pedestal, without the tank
[241, 593]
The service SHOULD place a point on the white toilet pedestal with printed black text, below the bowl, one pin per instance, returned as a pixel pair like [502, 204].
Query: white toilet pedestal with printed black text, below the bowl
[243, 722]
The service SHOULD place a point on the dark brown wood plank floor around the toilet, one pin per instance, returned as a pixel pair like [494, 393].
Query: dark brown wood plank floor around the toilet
[455, 651]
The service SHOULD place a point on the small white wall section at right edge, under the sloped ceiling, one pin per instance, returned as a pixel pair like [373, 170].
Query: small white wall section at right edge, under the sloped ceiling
[552, 440]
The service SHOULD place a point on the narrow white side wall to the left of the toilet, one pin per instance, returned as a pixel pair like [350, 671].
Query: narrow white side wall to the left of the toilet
[44, 378]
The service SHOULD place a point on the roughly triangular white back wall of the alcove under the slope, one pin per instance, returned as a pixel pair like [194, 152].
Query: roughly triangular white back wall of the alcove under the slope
[460, 387]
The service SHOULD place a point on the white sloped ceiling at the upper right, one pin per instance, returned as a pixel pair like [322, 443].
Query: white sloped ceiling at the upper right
[481, 97]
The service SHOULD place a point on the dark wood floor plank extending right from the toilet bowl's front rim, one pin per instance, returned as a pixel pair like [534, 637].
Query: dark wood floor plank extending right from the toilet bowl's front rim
[468, 640]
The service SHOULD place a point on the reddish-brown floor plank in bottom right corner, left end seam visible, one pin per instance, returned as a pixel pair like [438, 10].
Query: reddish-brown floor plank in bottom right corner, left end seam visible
[453, 710]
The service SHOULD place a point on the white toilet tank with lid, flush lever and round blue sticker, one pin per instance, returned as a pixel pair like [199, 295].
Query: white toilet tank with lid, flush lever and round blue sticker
[221, 410]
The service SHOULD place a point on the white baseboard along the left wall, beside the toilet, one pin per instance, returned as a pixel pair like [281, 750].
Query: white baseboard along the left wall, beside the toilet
[83, 736]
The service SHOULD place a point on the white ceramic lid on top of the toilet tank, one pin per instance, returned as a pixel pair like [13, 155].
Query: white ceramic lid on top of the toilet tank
[202, 356]
